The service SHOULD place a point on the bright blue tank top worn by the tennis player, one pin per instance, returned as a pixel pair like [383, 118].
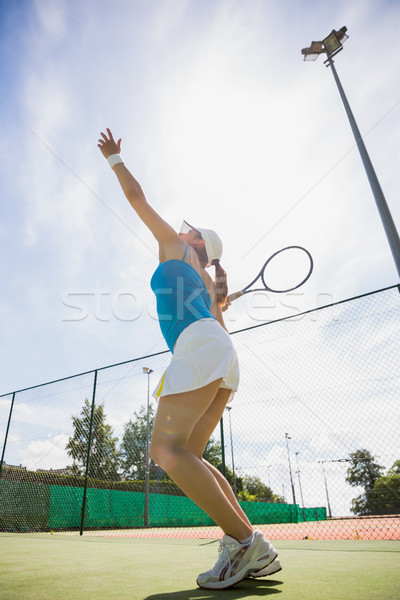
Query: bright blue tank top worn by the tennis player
[182, 298]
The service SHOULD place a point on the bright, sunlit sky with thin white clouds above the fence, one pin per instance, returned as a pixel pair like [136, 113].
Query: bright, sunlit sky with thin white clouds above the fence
[222, 123]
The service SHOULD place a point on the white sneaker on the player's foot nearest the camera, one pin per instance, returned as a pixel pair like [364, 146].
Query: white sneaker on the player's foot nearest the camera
[236, 561]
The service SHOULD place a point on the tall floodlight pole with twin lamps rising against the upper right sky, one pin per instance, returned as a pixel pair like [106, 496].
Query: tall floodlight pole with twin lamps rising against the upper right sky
[380, 200]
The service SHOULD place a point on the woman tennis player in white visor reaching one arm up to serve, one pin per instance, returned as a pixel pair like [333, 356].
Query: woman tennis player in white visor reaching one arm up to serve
[199, 381]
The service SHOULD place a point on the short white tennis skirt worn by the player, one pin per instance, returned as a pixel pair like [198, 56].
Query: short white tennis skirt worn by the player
[202, 353]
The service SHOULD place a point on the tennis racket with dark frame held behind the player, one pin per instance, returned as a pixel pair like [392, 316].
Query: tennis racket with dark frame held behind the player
[284, 271]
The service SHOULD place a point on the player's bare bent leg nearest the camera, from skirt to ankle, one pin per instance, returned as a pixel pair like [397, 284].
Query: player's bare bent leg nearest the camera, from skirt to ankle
[175, 421]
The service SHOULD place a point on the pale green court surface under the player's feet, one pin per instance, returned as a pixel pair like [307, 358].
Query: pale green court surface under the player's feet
[69, 567]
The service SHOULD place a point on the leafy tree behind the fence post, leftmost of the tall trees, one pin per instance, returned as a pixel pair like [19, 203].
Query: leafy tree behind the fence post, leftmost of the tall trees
[104, 456]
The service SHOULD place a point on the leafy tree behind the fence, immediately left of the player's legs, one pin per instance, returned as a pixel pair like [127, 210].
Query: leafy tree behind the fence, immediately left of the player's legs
[133, 447]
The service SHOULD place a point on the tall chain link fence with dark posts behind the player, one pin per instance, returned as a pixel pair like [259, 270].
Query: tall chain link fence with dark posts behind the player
[310, 443]
